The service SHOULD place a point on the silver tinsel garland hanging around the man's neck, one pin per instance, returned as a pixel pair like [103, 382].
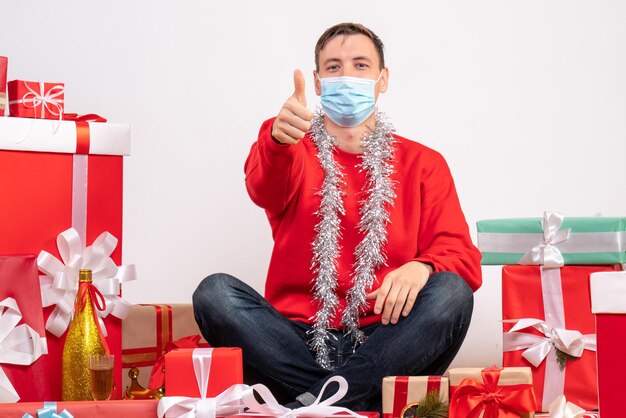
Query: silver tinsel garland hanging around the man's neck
[377, 156]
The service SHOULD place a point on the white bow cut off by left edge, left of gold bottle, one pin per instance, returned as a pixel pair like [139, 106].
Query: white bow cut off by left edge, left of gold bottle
[19, 344]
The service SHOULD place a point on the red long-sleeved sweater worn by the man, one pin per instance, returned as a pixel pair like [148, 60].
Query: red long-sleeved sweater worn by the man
[427, 223]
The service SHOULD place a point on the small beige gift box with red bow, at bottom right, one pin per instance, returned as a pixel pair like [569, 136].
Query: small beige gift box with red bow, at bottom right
[473, 390]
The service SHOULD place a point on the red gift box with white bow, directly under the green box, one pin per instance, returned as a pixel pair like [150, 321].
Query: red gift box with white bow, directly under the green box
[546, 310]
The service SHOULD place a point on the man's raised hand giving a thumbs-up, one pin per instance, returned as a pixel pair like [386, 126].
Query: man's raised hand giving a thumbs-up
[294, 119]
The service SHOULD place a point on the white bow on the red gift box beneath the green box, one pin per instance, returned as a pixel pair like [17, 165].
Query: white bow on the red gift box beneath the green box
[537, 348]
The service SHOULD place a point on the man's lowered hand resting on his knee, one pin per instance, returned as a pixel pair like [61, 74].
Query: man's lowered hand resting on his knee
[399, 290]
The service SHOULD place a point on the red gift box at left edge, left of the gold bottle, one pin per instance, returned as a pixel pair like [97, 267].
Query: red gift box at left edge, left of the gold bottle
[19, 280]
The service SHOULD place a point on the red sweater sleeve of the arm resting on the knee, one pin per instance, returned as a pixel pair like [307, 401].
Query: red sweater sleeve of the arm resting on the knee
[444, 240]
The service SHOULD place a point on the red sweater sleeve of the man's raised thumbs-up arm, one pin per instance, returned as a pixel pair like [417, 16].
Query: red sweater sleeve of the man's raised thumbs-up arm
[273, 171]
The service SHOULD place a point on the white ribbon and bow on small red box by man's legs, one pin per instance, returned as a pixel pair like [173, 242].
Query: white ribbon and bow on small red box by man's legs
[224, 404]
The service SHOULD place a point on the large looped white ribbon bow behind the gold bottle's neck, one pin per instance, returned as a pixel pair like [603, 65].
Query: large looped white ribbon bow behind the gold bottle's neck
[59, 283]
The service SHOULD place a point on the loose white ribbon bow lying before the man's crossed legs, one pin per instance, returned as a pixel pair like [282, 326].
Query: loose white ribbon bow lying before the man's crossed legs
[318, 408]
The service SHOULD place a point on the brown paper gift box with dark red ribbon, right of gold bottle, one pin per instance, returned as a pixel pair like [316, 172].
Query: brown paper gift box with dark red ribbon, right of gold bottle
[147, 332]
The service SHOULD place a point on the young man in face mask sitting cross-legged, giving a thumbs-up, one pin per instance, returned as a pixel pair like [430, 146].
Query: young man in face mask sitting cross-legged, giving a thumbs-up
[373, 268]
